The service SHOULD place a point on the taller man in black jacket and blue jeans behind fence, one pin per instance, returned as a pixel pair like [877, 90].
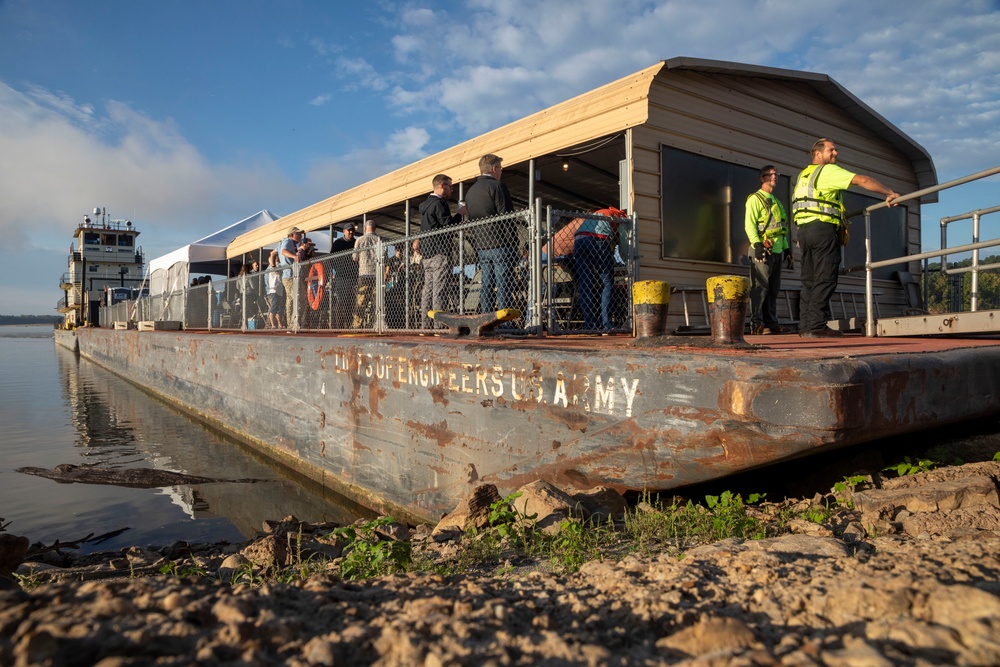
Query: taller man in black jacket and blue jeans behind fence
[496, 244]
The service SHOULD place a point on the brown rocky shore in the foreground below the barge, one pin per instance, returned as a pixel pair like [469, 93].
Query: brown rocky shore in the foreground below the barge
[882, 571]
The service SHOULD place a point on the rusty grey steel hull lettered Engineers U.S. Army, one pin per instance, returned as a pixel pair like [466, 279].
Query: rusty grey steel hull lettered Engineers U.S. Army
[410, 425]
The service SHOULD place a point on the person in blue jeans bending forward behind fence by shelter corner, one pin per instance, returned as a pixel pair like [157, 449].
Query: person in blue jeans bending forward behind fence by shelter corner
[594, 244]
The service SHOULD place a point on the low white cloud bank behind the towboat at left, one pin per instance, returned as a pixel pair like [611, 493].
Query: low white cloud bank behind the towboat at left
[62, 160]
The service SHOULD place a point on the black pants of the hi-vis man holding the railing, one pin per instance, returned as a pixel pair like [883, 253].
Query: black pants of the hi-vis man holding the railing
[820, 269]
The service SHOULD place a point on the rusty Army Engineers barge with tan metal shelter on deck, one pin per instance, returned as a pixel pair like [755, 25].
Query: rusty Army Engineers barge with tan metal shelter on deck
[409, 424]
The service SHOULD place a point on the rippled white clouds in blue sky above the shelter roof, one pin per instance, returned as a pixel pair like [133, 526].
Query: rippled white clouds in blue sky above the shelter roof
[931, 70]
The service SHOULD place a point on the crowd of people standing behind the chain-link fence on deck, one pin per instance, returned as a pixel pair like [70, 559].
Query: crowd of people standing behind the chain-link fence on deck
[341, 293]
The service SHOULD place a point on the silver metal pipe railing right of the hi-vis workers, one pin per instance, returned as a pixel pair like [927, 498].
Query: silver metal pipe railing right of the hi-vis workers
[974, 247]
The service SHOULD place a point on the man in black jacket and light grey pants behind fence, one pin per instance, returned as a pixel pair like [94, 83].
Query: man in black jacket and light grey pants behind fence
[435, 214]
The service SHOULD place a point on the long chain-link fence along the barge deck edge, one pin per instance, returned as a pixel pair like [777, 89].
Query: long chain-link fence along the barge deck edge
[388, 283]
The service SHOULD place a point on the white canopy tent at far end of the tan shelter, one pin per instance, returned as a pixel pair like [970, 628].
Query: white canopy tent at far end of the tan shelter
[172, 272]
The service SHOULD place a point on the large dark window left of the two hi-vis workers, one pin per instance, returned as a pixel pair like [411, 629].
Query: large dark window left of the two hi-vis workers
[703, 206]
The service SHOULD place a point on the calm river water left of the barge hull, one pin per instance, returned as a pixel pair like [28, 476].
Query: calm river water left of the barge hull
[56, 408]
